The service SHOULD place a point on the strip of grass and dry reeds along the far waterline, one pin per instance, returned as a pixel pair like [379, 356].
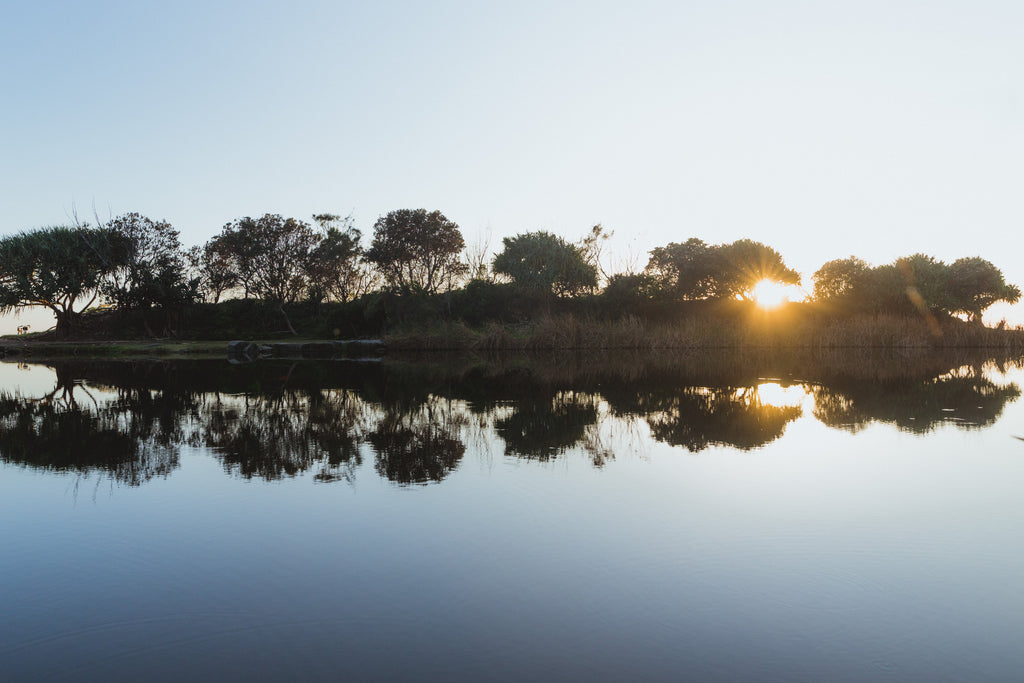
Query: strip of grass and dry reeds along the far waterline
[727, 327]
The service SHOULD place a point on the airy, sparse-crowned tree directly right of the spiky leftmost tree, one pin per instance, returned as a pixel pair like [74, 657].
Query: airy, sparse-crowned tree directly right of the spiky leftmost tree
[151, 268]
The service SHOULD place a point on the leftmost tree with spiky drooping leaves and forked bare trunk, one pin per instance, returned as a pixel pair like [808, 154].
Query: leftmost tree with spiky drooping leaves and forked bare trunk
[57, 268]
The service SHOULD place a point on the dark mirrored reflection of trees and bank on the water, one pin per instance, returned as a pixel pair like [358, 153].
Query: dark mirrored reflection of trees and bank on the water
[414, 420]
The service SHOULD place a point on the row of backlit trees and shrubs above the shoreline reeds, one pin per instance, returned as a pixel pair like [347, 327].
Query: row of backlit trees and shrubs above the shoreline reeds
[418, 262]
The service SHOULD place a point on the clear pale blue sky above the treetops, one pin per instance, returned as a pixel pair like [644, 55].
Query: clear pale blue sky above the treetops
[824, 130]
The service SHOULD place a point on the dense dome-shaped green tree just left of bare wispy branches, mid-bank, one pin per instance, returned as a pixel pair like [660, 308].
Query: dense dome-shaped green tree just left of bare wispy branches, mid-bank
[545, 264]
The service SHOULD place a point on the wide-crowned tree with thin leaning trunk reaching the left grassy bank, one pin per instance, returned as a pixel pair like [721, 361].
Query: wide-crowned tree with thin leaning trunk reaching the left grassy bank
[271, 257]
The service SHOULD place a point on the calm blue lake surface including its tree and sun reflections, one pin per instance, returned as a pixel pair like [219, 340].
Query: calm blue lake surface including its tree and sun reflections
[852, 517]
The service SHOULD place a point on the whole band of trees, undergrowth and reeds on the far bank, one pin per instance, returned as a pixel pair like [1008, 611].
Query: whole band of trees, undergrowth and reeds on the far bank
[261, 277]
